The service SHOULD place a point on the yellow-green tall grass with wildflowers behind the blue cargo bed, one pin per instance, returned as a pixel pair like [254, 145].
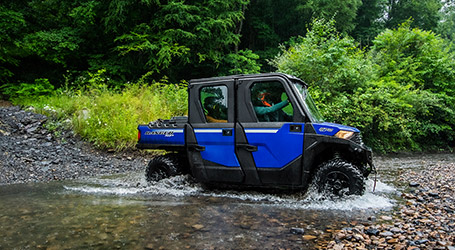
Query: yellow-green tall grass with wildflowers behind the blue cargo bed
[107, 117]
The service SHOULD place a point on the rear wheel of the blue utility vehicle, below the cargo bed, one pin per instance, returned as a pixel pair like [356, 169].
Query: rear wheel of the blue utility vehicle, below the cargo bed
[160, 167]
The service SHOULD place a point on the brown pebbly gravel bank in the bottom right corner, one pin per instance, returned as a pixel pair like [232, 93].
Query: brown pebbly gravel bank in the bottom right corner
[424, 218]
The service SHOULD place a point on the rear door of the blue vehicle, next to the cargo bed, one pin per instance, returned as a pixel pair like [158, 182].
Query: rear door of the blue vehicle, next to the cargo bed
[210, 133]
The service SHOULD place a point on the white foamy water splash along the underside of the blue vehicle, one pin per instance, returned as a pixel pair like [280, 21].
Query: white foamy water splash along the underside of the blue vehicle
[181, 186]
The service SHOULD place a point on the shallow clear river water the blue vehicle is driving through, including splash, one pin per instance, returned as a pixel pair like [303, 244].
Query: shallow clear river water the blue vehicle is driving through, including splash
[124, 211]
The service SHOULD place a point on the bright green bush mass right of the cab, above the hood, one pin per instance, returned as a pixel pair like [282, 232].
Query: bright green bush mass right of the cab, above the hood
[400, 93]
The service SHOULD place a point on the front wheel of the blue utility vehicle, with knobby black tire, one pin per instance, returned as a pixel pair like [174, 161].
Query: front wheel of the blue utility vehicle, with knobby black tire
[339, 178]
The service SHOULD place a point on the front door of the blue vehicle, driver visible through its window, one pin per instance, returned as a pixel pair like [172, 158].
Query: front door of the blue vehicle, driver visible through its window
[270, 140]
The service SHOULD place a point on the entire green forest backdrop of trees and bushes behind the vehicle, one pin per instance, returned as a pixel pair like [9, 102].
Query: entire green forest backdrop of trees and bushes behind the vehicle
[366, 68]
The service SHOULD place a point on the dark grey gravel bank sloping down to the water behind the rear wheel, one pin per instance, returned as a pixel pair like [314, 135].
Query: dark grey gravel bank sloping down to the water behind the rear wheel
[31, 153]
